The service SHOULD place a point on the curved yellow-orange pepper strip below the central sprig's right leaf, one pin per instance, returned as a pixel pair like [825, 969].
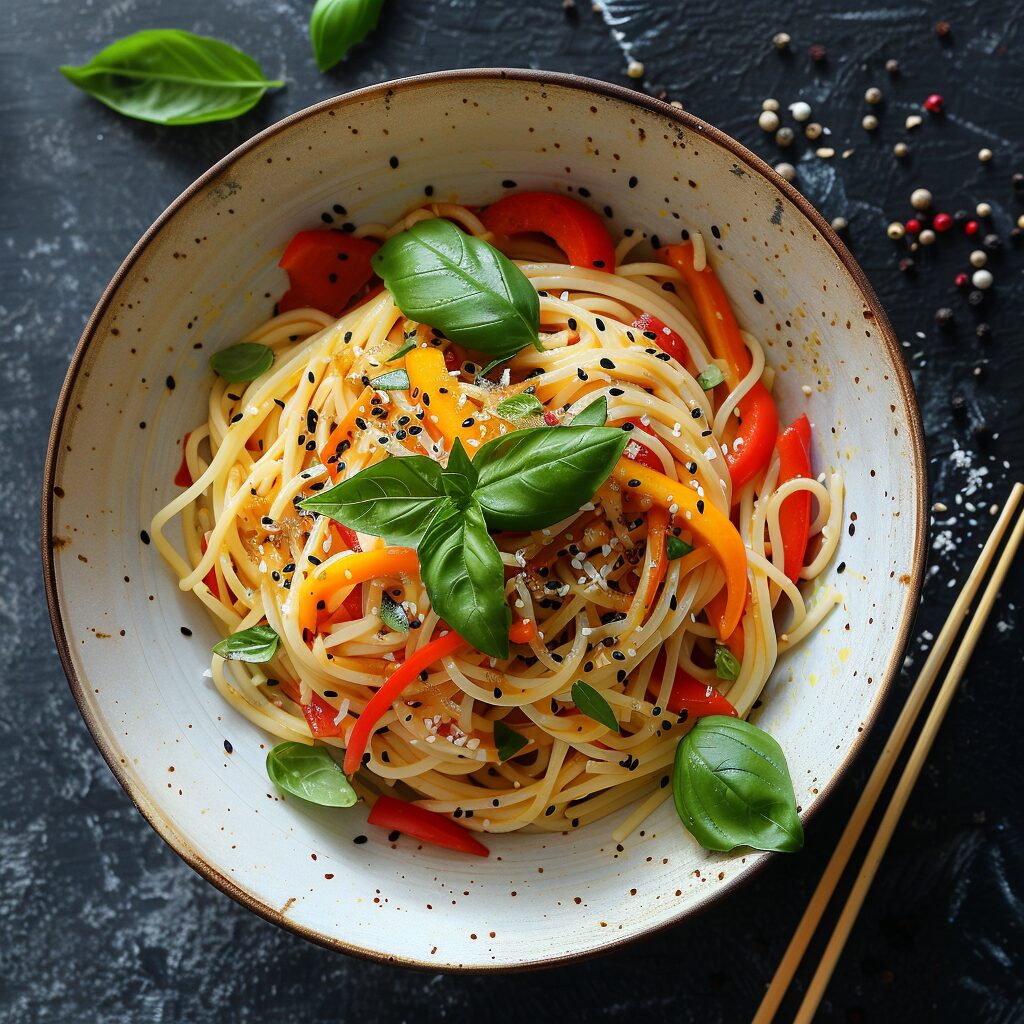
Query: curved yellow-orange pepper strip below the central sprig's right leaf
[704, 521]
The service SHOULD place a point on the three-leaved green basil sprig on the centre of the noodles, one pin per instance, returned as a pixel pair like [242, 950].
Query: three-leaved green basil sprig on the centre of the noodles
[529, 480]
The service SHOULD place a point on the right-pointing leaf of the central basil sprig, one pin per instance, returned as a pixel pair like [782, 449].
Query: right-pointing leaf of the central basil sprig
[536, 478]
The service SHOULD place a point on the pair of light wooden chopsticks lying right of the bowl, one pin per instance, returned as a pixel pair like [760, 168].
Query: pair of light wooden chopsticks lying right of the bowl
[902, 731]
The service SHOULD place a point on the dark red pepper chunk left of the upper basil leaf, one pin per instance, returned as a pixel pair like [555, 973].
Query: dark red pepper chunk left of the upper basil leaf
[326, 270]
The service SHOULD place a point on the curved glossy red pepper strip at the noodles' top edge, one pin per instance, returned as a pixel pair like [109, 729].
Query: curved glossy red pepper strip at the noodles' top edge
[575, 229]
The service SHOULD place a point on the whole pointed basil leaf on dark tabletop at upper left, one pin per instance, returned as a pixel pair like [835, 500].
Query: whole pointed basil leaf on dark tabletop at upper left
[170, 77]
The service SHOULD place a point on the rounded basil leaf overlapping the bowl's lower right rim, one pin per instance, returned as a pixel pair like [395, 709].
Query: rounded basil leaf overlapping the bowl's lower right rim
[732, 788]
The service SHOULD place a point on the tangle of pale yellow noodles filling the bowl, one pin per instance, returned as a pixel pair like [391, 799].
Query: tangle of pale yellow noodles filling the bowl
[248, 551]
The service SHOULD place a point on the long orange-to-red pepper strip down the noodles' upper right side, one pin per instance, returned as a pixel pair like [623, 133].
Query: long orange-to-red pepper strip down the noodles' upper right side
[755, 441]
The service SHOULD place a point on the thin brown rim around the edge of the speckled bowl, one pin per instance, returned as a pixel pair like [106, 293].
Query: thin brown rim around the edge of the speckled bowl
[148, 807]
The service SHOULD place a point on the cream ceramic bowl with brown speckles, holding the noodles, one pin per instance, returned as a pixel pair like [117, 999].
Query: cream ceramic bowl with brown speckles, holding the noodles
[206, 273]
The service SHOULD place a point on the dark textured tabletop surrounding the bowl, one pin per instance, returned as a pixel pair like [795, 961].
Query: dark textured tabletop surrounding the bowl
[101, 922]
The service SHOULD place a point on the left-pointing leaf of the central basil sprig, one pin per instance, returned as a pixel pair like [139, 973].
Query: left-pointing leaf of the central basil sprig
[395, 499]
